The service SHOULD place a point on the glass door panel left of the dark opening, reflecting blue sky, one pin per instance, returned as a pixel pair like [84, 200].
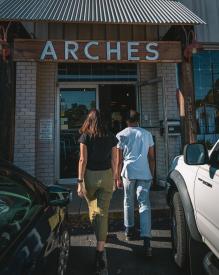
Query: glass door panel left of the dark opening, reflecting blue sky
[75, 104]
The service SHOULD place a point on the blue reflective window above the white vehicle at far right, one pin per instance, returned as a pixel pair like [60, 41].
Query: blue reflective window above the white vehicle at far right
[206, 81]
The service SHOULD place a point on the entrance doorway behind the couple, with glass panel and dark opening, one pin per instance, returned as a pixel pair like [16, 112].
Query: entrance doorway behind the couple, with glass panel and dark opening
[113, 100]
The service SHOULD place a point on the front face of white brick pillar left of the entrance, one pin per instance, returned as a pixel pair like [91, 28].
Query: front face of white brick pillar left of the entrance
[25, 116]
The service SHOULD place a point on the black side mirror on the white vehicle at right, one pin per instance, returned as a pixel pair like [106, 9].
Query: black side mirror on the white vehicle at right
[196, 154]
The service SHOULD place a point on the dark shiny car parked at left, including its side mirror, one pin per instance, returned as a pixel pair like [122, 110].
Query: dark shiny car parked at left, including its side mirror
[34, 234]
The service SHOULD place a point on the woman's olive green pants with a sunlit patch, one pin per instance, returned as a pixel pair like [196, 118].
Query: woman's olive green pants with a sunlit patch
[98, 193]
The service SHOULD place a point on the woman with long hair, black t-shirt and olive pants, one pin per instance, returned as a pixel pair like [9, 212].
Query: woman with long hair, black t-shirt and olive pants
[96, 174]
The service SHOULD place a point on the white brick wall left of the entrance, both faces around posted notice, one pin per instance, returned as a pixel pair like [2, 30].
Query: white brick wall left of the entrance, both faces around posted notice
[35, 100]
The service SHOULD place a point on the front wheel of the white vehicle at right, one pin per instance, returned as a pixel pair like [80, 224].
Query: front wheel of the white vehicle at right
[178, 231]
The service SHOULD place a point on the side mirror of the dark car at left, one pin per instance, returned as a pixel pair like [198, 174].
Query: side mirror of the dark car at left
[58, 196]
